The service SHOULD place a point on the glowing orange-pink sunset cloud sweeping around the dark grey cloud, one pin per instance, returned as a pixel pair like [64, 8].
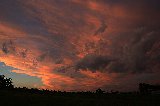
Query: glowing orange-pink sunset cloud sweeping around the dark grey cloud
[70, 30]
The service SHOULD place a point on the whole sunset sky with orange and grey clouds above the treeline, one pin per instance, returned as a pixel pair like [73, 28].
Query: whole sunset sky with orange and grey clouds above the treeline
[76, 45]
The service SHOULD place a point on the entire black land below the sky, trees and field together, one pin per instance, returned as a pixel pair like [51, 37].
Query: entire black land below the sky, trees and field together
[16, 96]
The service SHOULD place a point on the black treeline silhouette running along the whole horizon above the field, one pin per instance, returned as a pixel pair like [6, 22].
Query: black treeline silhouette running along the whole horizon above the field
[7, 84]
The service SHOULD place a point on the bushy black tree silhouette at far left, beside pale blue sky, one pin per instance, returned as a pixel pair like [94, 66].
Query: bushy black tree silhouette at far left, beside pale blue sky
[5, 83]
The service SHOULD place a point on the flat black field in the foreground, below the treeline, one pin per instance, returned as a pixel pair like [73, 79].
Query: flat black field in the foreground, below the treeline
[18, 98]
